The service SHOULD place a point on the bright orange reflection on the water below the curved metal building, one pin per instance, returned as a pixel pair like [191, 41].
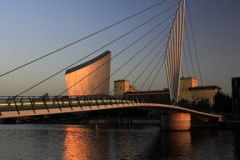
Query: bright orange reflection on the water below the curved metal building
[82, 144]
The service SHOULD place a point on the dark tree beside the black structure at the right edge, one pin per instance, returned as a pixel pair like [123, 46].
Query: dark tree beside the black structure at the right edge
[222, 103]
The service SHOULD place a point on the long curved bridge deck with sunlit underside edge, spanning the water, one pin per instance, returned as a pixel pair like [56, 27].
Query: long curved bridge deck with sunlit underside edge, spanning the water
[34, 108]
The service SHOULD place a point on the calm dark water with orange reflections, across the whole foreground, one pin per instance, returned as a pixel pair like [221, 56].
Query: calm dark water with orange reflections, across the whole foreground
[74, 142]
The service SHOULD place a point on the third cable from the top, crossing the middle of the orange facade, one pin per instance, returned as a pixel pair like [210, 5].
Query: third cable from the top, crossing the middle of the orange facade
[115, 56]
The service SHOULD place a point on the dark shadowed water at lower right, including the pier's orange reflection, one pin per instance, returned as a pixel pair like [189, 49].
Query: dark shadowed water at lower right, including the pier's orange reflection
[195, 144]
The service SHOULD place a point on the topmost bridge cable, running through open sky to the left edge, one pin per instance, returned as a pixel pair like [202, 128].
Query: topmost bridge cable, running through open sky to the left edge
[80, 40]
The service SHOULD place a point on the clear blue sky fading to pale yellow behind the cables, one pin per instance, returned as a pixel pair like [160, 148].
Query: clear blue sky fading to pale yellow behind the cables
[31, 28]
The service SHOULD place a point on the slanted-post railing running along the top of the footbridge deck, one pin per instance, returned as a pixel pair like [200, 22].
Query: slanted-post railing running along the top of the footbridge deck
[8, 103]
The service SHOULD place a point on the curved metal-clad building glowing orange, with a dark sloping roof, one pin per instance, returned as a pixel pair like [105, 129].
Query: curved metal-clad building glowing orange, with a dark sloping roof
[74, 75]
